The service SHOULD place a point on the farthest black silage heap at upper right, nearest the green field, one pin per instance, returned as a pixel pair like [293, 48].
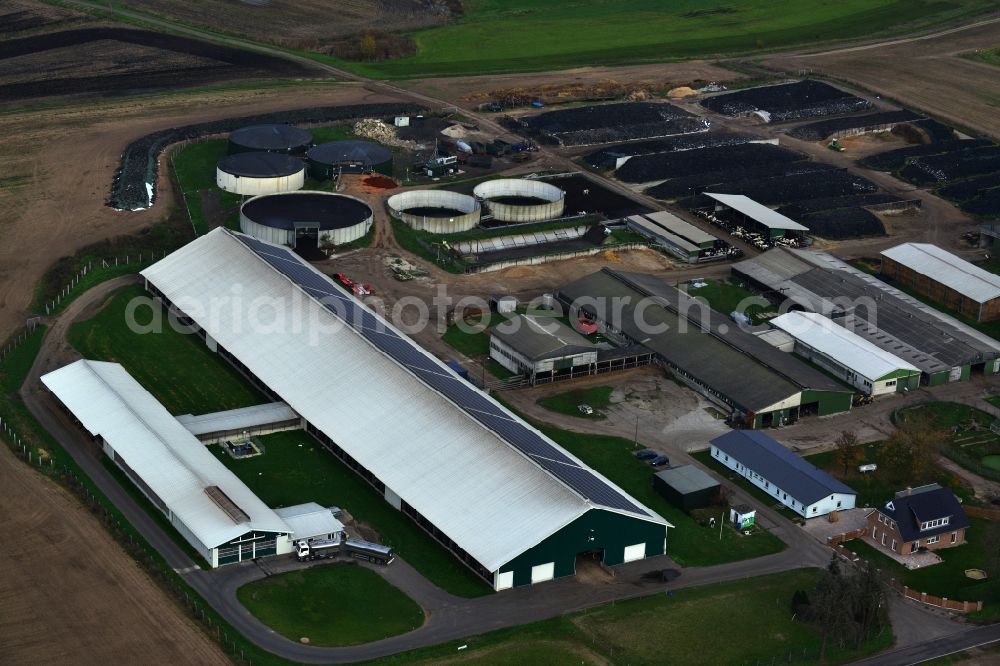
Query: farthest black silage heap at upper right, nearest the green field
[788, 101]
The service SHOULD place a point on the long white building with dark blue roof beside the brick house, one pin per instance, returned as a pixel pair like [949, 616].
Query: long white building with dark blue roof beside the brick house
[803, 488]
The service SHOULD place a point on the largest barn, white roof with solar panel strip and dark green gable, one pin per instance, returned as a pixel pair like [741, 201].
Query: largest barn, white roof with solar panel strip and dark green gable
[508, 502]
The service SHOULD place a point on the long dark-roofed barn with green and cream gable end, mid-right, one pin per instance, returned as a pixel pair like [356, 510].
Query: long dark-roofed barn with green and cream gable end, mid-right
[759, 385]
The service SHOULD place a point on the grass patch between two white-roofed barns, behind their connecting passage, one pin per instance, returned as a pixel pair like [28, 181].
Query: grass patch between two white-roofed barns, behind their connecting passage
[178, 369]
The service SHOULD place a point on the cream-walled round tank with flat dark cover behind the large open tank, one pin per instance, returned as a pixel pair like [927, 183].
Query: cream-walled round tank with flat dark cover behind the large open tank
[260, 173]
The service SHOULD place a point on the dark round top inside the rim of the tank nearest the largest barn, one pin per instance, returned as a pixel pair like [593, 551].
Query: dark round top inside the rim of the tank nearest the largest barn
[328, 211]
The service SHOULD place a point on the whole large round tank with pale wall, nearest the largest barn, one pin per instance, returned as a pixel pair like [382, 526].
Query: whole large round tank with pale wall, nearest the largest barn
[290, 217]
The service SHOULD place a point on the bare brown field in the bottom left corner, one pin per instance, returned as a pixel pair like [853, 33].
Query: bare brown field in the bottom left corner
[98, 609]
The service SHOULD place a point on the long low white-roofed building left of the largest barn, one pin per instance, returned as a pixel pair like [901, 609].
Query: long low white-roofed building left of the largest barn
[215, 512]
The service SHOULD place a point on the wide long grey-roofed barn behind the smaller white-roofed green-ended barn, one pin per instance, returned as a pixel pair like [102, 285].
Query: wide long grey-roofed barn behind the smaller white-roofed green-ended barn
[943, 348]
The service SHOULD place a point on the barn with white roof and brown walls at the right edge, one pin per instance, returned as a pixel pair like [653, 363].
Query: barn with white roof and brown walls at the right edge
[947, 279]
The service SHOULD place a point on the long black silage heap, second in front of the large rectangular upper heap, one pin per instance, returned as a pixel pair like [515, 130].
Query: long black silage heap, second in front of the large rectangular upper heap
[660, 166]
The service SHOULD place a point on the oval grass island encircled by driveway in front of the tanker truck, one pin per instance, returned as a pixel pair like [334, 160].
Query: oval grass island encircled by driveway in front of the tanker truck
[333, 604]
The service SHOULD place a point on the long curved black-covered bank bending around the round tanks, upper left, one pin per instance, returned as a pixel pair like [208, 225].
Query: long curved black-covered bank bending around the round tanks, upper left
[139, 159]
